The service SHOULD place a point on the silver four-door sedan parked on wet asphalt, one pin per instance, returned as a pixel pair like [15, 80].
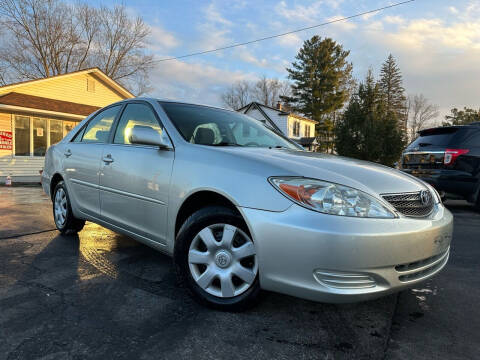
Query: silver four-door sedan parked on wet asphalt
[242, 208]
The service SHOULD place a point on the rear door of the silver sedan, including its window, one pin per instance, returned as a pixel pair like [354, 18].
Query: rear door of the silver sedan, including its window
[82, 161]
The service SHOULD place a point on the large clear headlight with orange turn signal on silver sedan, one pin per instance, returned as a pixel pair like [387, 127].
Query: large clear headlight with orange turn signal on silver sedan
[330, 198]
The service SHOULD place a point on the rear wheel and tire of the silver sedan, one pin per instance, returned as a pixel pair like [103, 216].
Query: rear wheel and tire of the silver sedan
[63, 217]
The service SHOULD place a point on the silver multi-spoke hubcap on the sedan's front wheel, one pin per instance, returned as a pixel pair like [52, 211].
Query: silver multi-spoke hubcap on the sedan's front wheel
[222, 260]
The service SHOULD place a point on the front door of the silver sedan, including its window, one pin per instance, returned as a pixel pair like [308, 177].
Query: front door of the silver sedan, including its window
[135, 179]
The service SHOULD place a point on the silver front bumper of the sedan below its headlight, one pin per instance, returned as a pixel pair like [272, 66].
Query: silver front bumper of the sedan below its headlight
[343, 259]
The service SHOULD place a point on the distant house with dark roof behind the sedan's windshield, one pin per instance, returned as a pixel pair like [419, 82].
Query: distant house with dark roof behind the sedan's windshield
[296, 127]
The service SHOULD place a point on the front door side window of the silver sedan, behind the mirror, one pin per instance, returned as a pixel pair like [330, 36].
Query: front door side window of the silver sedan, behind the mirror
[135, 114]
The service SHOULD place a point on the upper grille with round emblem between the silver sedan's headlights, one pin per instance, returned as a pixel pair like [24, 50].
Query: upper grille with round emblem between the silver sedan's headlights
[411, 204]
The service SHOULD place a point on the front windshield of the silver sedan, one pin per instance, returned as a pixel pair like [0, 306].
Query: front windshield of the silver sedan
[216, 127]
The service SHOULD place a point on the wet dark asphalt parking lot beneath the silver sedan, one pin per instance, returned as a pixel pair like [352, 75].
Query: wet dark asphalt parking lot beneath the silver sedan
[102, 295]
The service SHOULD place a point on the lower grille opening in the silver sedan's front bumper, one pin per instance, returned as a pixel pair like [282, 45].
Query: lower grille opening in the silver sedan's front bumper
[422, 268]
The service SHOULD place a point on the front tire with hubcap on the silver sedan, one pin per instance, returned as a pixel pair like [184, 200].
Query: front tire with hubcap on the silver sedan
[210, 272]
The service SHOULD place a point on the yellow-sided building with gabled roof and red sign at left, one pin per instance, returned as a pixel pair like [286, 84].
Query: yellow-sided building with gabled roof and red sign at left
[38, 113]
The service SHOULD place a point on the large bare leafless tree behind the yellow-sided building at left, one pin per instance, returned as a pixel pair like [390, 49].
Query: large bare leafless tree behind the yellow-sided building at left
[49, 37]
